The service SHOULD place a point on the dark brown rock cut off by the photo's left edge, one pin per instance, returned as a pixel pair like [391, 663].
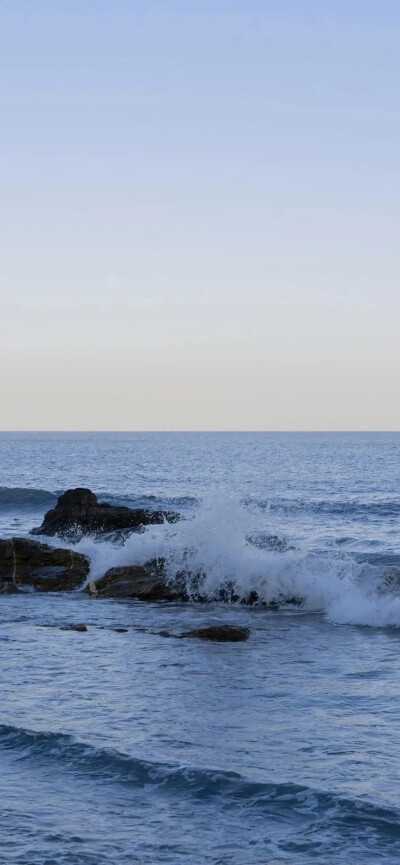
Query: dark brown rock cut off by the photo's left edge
[29, 563]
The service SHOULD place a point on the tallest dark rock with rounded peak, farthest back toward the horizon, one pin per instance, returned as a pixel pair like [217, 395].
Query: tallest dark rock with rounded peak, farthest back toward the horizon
[78, 512]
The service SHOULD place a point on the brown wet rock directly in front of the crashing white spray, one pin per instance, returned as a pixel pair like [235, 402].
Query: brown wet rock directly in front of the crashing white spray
[133, 581]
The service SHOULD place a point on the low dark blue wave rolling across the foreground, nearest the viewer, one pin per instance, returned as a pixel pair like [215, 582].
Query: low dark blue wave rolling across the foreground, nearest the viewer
[280, 799]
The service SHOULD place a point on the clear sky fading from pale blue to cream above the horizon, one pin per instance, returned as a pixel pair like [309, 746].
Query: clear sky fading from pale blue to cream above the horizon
[199, 214]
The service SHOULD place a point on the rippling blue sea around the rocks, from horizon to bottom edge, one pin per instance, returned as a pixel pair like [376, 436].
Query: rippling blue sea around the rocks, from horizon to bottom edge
[131, 748]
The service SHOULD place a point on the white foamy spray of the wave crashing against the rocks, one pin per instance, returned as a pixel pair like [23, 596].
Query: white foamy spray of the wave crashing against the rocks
[214, 543]
